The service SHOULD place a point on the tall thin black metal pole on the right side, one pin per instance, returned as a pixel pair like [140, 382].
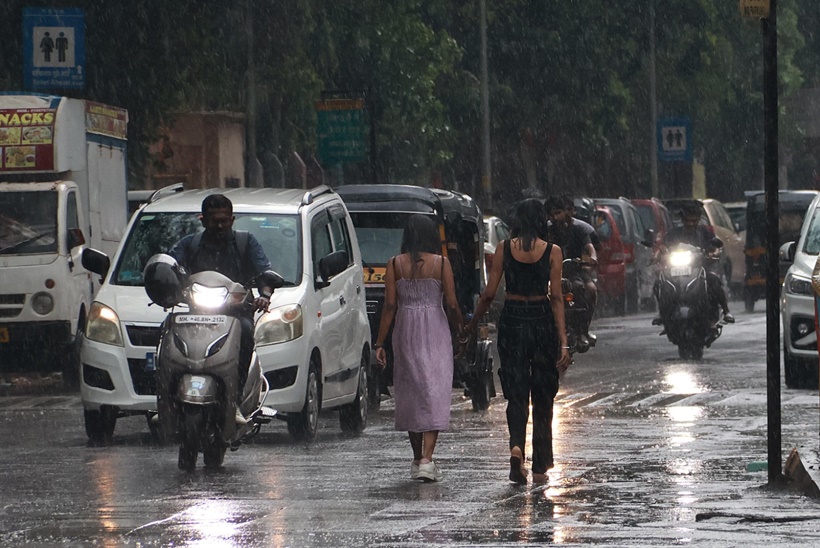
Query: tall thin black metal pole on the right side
[770, 168]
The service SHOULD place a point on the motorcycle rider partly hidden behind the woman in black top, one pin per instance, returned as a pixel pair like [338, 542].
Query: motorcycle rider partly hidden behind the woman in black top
[574, 239]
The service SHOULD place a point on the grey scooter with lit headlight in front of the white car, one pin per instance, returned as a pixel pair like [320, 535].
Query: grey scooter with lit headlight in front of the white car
[197, 361]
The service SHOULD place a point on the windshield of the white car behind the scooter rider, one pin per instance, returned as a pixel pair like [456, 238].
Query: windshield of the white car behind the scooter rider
[152, 233]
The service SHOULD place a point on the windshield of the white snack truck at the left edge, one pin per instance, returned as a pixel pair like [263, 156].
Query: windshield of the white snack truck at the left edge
[28, 223]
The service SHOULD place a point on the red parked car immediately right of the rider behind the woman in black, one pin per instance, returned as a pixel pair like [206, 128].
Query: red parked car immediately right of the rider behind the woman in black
[611, 262]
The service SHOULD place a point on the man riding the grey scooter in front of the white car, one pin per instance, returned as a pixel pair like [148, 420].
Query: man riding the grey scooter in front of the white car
[235, 254]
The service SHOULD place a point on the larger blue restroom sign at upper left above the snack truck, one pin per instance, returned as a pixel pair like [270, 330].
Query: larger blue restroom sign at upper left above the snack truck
[53, 49]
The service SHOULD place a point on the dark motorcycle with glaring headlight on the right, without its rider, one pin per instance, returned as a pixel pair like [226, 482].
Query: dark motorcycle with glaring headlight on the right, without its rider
[690, 316]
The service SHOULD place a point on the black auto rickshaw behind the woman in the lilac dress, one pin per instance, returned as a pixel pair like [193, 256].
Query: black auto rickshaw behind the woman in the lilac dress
[379, 214]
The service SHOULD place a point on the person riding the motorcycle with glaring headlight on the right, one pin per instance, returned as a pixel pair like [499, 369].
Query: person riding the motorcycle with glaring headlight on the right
[693, 233]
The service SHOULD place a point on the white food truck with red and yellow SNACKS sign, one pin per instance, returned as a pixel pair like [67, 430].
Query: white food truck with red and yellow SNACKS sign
[63, 186]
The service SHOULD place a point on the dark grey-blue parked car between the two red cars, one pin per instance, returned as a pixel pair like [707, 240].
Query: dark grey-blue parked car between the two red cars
[640, 274]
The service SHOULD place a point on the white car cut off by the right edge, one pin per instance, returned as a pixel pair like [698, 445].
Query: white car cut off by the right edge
[797, 303]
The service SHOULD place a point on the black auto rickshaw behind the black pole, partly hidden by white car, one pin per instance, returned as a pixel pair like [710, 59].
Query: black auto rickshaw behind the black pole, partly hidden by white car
[793, 206]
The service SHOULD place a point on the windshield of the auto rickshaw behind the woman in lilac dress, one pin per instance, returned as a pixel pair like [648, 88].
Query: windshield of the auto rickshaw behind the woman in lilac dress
[379, 235]
